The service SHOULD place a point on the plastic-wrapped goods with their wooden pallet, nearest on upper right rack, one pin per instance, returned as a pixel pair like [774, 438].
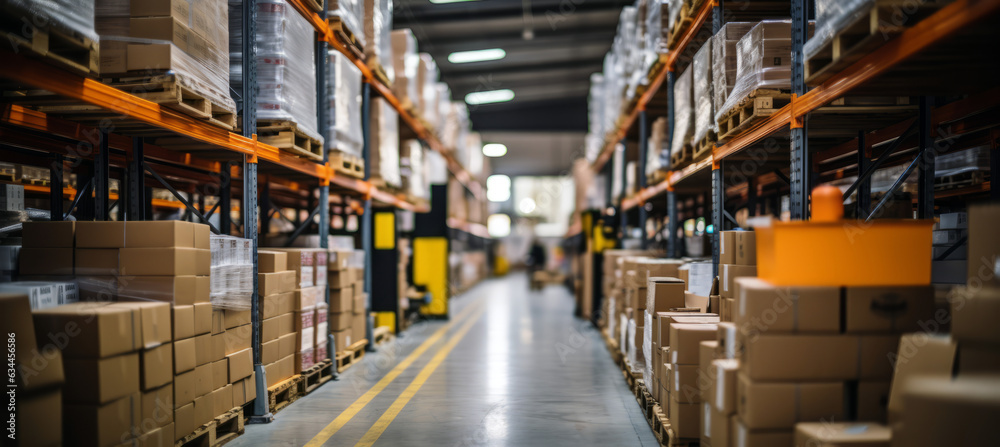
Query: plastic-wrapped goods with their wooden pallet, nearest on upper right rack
[846, 31]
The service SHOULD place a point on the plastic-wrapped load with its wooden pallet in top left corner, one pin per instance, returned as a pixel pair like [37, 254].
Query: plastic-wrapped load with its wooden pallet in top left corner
[58, 31]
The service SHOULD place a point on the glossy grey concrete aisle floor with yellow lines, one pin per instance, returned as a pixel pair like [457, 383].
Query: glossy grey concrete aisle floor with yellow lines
[524, 373]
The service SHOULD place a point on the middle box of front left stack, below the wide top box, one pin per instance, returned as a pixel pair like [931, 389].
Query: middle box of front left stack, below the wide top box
[99, 381]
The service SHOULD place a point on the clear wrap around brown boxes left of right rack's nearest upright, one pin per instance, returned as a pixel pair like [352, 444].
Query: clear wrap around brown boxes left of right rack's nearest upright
[763, 61]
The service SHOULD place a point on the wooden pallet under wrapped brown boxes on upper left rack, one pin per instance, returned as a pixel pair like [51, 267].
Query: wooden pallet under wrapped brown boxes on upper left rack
[167, 90]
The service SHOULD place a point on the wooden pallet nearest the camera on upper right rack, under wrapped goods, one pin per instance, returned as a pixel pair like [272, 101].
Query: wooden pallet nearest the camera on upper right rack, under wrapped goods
[870, 29]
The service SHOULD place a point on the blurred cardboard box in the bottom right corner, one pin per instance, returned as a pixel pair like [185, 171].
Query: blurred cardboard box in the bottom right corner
[941, 411]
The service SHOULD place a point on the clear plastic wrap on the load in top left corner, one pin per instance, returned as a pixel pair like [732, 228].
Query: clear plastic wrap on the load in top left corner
[69, 15]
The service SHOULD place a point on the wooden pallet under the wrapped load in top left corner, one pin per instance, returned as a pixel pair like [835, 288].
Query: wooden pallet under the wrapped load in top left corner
[65, 48]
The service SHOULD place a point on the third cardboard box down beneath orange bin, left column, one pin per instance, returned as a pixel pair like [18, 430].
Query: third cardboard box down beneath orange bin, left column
[780, 405]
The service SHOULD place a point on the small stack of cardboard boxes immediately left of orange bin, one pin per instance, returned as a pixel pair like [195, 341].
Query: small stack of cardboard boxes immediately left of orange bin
[737, 258]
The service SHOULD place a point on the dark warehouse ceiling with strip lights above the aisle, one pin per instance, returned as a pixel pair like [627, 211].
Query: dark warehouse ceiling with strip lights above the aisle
[552, 47]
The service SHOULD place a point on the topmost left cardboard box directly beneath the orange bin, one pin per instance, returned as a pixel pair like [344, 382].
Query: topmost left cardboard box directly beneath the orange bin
[764, 307]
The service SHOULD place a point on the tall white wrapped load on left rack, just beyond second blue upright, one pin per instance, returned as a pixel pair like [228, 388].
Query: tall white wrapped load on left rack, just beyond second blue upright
[344, 97]
